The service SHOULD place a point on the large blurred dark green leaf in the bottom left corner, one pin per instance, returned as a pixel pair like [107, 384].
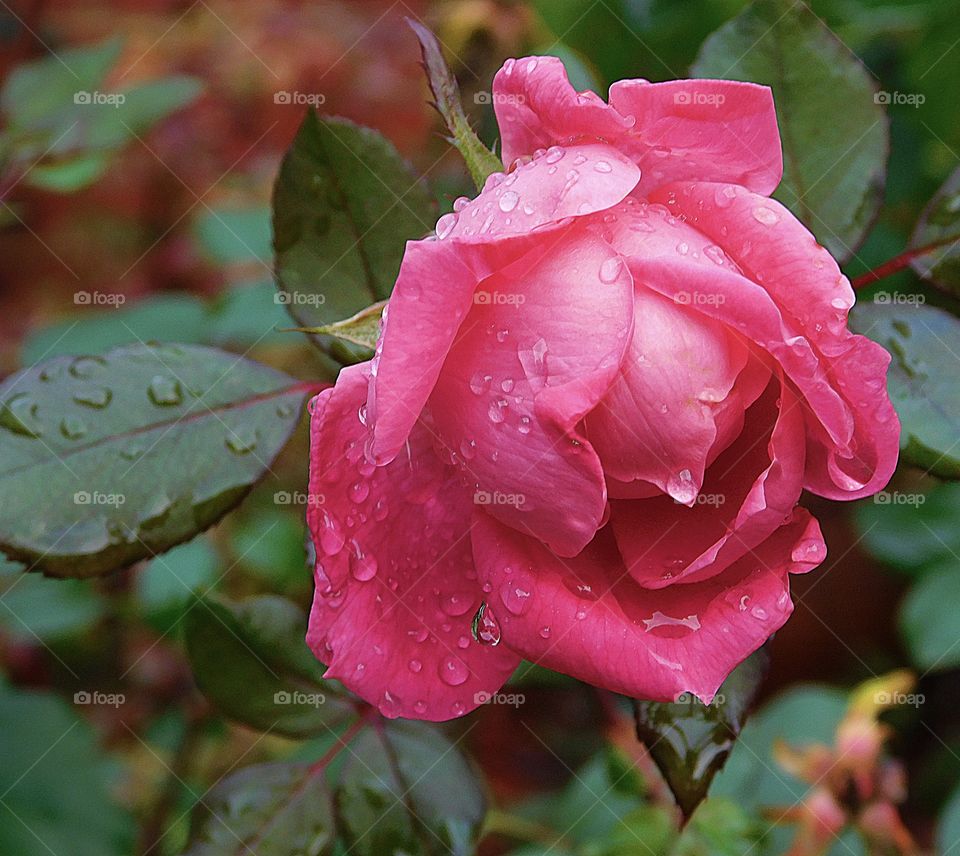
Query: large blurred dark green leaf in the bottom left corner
[56, 782]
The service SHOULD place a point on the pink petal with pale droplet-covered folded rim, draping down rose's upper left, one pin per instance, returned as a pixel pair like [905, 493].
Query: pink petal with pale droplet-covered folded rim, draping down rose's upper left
[437, 279]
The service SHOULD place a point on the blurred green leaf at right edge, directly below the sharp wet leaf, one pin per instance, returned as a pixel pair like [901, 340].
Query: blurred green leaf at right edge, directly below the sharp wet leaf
[911, 531]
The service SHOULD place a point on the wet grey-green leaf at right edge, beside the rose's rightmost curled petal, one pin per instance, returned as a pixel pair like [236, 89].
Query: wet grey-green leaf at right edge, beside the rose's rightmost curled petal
[921, 379]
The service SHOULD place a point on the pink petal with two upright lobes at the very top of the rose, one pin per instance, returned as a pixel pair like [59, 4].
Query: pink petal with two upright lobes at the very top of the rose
[715, 130]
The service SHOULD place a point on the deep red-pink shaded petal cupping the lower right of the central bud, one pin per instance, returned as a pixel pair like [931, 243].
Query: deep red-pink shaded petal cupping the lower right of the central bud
[754, 485]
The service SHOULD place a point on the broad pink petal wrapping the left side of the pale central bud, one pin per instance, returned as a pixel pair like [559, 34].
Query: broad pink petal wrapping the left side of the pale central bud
[523, 372]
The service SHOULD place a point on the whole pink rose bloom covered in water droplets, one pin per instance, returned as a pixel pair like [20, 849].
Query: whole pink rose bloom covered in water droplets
[596, 398]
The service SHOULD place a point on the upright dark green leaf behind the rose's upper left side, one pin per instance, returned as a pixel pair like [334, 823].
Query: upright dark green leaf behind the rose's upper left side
[344, 204]
